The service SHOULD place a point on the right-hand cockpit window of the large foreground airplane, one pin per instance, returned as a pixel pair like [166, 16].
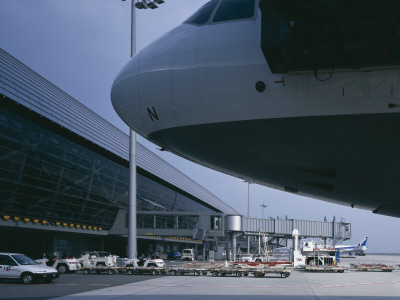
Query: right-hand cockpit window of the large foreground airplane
[234, 10]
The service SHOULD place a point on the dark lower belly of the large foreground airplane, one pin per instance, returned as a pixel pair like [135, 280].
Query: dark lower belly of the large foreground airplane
[346, 159]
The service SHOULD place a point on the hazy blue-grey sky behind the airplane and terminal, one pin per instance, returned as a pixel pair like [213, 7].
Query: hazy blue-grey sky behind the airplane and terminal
[81, 45]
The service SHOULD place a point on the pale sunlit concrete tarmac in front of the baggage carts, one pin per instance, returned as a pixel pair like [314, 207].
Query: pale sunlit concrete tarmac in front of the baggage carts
[299, 285]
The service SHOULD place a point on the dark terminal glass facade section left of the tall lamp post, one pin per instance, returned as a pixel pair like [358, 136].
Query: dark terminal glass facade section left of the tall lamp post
[44, 175]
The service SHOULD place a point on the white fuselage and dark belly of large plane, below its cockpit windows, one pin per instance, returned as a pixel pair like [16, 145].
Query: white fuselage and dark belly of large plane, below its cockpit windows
[197, 85]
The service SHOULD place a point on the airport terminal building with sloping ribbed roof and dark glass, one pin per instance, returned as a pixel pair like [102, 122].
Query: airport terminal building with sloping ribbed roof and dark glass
[64, 179]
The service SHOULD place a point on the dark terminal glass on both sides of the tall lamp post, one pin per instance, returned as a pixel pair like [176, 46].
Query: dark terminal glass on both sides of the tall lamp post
[45, 172]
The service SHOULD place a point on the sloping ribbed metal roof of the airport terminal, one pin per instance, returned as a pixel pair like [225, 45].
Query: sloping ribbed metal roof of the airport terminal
[25, 86]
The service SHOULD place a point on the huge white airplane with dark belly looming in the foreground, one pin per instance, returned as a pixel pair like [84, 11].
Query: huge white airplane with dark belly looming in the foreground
[298, 95]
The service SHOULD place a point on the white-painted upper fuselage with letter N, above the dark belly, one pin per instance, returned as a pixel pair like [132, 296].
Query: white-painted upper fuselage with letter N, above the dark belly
[207, 74]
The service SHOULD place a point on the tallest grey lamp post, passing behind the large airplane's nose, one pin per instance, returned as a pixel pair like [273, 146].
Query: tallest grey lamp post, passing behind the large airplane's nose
[132, 230]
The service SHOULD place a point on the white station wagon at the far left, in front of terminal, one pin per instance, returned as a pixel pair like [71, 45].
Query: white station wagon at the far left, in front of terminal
[19, 266]
